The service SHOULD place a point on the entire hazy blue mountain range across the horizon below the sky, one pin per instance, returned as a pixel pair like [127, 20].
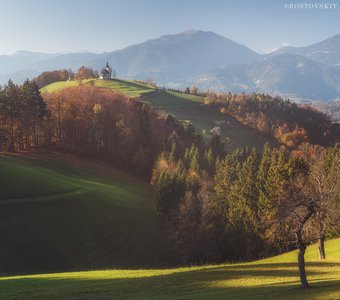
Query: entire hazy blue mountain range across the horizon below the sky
[206, 60]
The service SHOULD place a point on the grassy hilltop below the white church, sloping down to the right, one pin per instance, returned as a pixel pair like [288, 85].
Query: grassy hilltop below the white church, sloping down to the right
[186, 108]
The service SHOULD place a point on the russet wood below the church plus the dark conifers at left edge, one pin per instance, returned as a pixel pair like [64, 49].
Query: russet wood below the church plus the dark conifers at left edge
[88, 121]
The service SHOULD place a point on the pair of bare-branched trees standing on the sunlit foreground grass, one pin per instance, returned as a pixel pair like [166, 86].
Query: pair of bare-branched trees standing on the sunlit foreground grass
[307, 208]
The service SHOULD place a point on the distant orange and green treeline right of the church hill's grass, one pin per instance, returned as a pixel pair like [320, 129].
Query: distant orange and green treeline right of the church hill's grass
[291, 124]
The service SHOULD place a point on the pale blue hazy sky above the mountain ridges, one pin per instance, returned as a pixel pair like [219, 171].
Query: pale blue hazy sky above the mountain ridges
[105, 25]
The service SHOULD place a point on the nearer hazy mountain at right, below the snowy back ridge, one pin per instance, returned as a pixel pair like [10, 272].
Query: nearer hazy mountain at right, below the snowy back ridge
[286, 75]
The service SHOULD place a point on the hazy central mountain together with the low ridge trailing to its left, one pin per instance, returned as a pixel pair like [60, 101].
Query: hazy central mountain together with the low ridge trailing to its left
[165, 59]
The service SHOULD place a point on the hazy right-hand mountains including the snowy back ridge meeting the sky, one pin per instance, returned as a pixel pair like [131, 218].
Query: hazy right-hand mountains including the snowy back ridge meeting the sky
[307, 73]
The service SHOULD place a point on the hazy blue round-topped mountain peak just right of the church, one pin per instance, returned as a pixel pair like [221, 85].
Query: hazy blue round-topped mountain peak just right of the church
[177, 57]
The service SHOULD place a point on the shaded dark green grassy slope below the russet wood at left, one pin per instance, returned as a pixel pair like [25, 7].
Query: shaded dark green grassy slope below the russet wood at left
[61, 213]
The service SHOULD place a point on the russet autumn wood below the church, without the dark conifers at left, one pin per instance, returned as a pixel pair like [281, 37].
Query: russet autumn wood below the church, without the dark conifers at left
[102, 123]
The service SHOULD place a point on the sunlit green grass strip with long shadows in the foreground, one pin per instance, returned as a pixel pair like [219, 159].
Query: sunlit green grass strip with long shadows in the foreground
[274, 278]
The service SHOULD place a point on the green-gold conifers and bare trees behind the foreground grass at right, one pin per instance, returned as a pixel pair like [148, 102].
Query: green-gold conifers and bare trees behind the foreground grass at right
[248, 204]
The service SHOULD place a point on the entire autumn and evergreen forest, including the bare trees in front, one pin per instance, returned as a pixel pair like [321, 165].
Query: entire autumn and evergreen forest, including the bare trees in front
[217, 205]
